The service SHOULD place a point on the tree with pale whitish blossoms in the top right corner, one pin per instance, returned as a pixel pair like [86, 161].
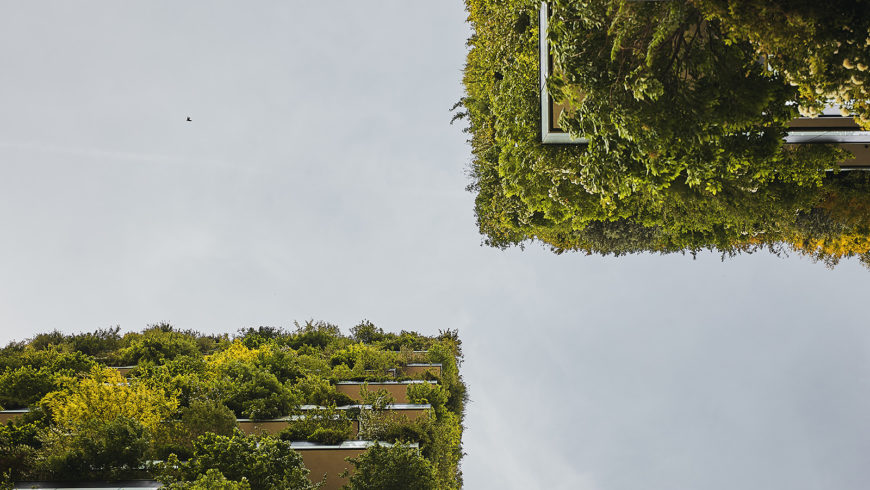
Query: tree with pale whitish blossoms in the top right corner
[820, 48]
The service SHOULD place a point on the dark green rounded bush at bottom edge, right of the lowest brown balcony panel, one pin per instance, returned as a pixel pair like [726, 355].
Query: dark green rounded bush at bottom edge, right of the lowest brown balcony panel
[391, 468]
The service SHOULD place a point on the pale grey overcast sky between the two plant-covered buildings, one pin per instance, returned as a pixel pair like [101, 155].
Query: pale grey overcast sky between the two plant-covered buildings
[320, 178]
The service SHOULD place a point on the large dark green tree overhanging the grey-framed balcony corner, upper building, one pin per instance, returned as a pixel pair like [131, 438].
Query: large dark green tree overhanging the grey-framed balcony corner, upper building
[664, 98]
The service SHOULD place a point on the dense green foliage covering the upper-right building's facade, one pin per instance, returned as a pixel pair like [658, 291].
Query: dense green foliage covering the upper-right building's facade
[685, 124]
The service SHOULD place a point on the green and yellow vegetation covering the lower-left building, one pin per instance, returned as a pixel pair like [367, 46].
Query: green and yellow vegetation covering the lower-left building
[181, 400]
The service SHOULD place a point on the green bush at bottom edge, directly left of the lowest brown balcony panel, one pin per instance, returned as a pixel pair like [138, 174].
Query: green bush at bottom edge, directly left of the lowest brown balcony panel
[264, 462]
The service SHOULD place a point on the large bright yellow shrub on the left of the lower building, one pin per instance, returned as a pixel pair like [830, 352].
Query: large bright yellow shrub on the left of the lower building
[105, 395]
